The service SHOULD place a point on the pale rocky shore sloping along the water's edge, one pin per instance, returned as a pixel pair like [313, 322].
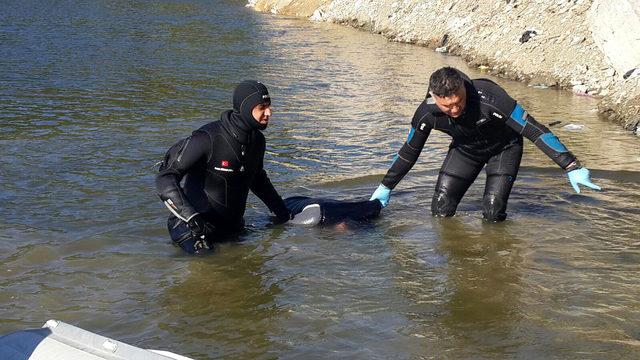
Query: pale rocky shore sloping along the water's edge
[590, 47]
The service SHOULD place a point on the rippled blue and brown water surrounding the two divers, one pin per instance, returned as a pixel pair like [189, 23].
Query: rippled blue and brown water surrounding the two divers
[92, 94]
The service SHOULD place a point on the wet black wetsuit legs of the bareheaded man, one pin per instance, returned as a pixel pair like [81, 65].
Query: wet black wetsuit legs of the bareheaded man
[459, 171]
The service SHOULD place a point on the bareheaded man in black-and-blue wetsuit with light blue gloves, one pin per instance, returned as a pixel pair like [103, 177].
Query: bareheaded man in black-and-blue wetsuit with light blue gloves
[487, 127]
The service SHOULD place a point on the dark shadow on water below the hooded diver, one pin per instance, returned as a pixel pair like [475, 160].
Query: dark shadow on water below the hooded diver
[225, 301]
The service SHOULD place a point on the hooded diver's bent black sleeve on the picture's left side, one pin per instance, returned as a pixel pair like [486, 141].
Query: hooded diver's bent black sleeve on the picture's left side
[178, 160]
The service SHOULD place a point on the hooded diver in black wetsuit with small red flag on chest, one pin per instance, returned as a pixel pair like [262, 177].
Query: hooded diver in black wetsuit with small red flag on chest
[218, 165]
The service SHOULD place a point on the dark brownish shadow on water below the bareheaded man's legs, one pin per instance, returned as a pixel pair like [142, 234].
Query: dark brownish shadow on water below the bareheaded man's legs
[484, 284]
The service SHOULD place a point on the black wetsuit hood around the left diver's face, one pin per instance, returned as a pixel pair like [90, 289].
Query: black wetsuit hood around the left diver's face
[246, 96]
